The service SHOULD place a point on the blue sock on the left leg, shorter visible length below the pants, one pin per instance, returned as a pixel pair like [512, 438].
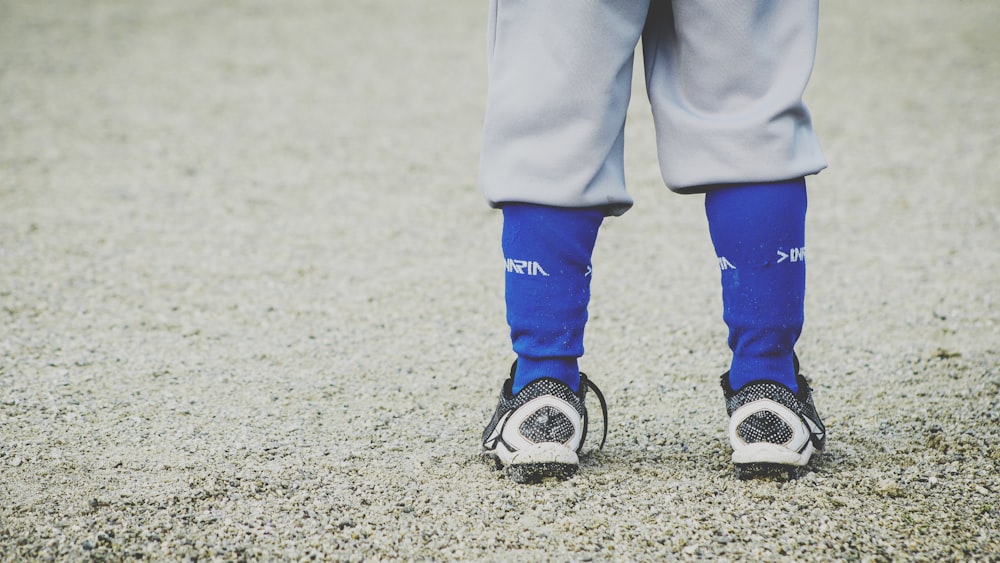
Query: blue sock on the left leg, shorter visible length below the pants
[547, 252]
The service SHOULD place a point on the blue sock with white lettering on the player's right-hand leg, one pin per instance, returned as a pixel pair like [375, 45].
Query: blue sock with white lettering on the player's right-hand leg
[759, 235]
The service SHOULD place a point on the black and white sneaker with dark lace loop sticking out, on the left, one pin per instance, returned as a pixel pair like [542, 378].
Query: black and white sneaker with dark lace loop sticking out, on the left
[538, 433]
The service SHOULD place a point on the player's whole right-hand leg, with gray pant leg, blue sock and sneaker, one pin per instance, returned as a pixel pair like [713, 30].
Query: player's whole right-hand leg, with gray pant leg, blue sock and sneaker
[725, 79]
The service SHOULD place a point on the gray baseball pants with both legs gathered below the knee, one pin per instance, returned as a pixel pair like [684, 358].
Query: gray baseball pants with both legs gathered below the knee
[725, 80]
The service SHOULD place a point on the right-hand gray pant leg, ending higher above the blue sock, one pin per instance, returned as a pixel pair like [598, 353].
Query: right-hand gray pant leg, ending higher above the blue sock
[725, 79]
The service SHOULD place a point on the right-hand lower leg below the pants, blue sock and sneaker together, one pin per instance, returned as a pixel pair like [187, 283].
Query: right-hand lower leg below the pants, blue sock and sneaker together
[758, 231]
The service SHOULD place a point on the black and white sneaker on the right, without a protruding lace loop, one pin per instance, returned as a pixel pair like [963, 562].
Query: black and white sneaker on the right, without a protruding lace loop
[772, 430]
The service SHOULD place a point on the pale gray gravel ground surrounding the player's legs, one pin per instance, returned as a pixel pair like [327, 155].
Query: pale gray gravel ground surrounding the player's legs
[251, 302]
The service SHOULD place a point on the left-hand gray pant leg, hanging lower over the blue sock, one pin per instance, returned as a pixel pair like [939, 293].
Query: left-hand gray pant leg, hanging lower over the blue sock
[560, 74]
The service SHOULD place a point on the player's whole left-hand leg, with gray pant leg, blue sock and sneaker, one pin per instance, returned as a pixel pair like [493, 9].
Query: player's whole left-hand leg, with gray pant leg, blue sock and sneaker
[552, 159]
